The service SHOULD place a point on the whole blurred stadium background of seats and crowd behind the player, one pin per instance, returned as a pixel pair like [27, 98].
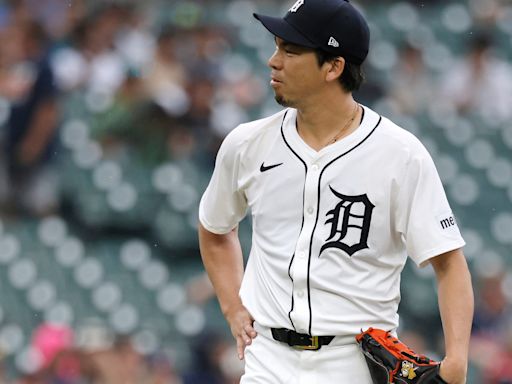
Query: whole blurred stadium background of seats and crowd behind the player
[111, 113]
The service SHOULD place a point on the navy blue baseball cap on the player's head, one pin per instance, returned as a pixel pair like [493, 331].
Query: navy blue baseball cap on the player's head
[334, 26]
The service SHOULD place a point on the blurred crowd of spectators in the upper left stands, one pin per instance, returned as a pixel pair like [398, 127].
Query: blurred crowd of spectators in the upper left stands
[161, 90]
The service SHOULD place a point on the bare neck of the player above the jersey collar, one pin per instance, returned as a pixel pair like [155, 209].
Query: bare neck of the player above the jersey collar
[331, 119]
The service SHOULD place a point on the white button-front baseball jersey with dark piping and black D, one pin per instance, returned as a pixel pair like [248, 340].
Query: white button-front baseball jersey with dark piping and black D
[331, 229]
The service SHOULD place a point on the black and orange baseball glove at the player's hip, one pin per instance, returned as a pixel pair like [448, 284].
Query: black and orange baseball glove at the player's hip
[391, 361]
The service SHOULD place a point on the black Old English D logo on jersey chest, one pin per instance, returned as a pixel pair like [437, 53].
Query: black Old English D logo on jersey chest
[350, 223]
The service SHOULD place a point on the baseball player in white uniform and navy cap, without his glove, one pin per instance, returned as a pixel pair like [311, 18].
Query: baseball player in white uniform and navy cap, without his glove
[339, 197]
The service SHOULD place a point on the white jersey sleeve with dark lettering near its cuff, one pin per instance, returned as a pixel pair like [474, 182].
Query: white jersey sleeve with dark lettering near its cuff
[424, 216]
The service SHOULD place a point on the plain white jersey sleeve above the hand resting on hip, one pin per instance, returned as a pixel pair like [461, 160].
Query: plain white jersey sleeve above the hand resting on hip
[223, 204]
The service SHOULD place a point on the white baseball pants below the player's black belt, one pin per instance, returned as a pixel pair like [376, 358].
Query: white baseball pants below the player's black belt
[271, 362]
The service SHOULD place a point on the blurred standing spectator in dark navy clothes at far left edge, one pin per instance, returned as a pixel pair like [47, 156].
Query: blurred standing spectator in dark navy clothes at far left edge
[31, 129]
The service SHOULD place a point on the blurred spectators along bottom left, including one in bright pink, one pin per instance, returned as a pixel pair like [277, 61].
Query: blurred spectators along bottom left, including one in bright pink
[62, 358]
